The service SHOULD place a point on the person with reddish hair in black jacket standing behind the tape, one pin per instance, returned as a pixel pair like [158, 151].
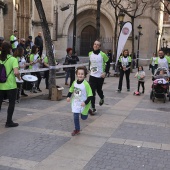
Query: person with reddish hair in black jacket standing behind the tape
[71, 59]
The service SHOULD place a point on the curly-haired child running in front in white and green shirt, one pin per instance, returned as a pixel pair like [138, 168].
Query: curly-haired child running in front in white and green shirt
[81, 100]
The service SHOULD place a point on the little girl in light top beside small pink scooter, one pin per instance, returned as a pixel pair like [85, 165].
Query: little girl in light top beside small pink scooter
[140, 75]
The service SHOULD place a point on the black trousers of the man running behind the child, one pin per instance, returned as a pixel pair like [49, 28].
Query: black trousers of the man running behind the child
[96, 84]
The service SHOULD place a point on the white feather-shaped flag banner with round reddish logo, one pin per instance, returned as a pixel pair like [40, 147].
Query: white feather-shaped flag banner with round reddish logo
[123, 36]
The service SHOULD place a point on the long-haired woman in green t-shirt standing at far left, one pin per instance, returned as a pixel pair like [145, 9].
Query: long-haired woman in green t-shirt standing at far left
[9, 87]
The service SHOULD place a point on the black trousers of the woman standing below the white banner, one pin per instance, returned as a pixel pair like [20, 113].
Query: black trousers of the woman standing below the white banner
[127, 74]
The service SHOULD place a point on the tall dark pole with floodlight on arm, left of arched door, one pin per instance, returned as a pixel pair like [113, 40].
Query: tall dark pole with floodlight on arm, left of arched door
[75, 21]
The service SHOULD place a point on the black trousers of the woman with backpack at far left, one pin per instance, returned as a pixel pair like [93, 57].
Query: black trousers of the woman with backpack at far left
[11, 95]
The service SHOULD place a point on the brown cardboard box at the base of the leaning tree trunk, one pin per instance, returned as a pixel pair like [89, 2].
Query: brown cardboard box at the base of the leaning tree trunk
[57, 93]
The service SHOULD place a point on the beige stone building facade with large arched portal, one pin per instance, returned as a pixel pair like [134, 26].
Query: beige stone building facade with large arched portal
[22, 15]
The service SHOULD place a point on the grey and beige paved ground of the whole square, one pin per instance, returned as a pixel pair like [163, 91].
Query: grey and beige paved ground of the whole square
[127, 133]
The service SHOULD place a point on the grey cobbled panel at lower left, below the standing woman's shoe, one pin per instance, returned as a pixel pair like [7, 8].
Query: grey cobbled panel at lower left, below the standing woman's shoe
[28, 145]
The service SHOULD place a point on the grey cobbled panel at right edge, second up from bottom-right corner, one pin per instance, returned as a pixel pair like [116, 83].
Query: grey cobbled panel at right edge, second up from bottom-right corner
[148, 133]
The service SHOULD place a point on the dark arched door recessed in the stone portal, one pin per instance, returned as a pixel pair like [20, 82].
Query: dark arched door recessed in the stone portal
[88, 36]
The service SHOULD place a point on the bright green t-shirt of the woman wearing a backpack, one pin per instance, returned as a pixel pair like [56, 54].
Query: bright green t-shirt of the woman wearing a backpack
[11, 80]
